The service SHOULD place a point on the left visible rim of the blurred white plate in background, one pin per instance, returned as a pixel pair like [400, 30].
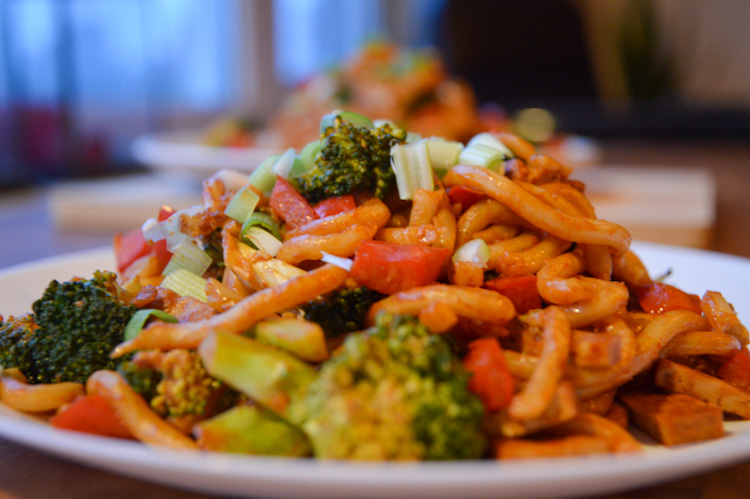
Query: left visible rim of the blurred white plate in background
[180, 153]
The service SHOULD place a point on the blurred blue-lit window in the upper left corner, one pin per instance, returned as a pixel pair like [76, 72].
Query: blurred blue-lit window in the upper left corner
[82, 78]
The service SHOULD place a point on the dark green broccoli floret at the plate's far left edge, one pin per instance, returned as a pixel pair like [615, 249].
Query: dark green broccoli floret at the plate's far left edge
[74, 327]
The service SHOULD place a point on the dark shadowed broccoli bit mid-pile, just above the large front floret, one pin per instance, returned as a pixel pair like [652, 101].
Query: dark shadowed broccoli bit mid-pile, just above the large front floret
[342, 311]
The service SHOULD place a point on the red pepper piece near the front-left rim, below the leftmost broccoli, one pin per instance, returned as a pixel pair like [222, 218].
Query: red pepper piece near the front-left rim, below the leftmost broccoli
[90, 414]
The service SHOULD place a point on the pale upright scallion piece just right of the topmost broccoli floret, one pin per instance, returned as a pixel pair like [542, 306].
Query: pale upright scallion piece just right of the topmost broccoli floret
[413, 168]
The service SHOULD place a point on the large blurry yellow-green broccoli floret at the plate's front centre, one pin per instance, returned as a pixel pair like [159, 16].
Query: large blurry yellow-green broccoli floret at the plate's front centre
[394, 392]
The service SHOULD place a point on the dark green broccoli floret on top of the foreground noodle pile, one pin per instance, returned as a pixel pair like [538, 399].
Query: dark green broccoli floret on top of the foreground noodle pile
[352, 159]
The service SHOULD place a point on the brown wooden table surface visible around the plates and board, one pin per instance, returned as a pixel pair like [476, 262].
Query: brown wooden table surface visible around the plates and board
[26, 473]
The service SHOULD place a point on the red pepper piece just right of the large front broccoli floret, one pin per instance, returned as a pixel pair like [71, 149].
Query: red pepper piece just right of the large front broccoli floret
[491, 378]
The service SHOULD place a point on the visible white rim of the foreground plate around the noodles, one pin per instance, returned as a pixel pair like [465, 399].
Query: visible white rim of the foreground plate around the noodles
[693, 270]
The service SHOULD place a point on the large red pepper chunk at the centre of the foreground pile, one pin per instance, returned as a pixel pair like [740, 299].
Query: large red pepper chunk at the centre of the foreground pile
[390, 268]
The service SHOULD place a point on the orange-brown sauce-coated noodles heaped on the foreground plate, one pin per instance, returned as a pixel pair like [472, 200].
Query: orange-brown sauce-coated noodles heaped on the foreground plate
[576, 356]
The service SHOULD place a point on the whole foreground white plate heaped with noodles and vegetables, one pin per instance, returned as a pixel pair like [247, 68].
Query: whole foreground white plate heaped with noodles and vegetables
[383, 317]
